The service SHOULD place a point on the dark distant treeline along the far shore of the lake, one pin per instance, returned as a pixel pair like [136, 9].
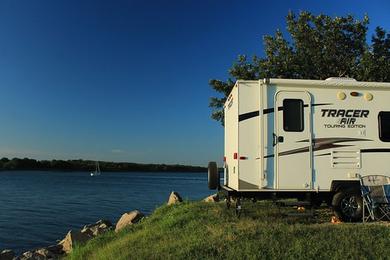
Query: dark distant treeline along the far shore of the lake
[88, 165]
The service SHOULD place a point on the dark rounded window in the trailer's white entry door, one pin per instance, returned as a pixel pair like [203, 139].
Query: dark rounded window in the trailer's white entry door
[293, 115]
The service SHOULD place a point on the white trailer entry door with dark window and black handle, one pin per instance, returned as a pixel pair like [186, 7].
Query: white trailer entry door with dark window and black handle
[292, 140]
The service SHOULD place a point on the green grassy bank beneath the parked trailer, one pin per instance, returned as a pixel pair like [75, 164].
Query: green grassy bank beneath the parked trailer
[198, 230]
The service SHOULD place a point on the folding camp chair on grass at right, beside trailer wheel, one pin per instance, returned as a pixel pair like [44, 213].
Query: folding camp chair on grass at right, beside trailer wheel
[376, 197]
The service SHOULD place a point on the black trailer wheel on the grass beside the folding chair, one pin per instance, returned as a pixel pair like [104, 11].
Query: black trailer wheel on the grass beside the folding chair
[348, 205]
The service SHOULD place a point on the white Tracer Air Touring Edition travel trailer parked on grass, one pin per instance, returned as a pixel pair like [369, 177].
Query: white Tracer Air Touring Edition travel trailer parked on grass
[308, 139]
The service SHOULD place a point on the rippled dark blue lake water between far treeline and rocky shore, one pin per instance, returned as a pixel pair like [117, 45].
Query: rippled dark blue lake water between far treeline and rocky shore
[37, 208]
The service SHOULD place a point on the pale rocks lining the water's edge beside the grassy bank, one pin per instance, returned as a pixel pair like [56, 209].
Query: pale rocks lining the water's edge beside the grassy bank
[87, 233]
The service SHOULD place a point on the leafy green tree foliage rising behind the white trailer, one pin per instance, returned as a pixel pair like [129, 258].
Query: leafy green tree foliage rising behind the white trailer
[319, 47]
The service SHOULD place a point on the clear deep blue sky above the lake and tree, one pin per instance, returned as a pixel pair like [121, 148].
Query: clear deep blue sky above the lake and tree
[128, 80]
